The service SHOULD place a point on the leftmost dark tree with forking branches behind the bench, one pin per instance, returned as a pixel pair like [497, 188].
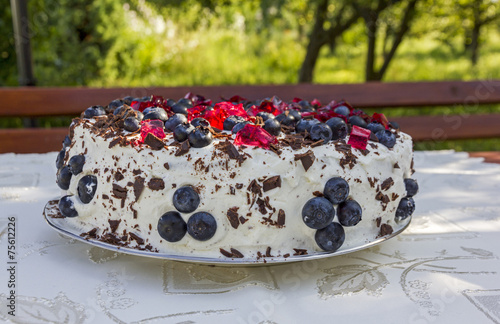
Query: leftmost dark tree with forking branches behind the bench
[320, 36]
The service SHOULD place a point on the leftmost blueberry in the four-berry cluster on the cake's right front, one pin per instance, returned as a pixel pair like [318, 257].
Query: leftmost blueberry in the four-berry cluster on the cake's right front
[318, 212]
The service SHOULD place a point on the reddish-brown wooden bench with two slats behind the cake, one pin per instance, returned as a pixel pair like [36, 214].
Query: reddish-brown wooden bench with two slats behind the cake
[39, 101]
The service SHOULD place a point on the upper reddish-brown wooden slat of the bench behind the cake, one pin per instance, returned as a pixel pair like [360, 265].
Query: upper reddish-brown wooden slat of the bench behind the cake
[39, 101]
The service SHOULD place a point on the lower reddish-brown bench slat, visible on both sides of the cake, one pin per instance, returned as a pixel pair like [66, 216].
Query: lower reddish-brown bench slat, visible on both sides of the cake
[421, 128]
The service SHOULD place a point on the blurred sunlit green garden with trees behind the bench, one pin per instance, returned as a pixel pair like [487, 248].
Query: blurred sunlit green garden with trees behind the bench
[138, 43]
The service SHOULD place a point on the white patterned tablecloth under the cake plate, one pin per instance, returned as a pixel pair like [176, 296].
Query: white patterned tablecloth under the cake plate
[443, 269]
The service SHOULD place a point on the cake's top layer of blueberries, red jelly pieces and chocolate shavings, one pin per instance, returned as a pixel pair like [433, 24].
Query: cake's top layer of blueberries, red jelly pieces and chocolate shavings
[270, 124]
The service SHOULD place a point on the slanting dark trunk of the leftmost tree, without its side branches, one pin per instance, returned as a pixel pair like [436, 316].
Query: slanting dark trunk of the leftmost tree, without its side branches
[316, 40]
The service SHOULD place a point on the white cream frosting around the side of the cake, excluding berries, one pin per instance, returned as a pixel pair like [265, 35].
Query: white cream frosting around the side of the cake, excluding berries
[297, 187]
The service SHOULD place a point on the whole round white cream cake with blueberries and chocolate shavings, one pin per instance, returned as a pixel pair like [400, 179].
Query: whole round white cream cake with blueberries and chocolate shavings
[235, 178]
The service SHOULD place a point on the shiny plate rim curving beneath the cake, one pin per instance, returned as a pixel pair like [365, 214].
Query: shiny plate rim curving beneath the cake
[53, 218]
